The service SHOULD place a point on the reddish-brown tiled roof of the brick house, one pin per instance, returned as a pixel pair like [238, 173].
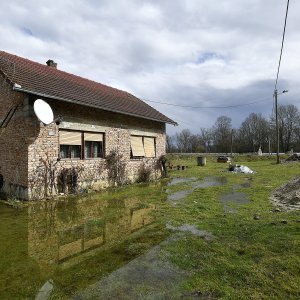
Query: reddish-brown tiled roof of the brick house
[42, 80]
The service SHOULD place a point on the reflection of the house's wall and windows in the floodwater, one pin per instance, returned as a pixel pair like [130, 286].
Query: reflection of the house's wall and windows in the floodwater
[61, 230]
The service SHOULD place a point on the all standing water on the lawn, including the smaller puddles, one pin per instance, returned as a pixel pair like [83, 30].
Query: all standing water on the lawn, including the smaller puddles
[97, 247]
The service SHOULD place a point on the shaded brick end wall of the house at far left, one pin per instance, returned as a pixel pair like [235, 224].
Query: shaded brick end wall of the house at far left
[13, 142]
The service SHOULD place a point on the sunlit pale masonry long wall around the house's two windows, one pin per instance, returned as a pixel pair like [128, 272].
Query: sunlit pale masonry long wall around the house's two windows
[43, 151]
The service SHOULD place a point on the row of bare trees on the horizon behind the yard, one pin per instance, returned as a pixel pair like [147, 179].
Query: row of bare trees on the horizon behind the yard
[254, 132]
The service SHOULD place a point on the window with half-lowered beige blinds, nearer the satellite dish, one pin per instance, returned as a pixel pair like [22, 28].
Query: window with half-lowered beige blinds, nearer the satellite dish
[72, 144]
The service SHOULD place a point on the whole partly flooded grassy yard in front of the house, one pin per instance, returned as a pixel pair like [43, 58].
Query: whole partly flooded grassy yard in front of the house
[134, 243]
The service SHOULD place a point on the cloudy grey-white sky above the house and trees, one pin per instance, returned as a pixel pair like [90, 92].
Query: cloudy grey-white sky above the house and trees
[196, 53]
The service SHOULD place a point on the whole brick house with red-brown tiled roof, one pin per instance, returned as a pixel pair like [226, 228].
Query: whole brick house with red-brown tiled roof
[104, 135]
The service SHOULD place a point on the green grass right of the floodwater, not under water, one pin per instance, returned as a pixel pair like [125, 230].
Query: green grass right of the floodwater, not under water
[256, 251]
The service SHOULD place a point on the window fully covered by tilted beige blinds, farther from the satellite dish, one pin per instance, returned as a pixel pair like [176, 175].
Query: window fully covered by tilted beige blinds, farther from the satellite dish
[142, 146]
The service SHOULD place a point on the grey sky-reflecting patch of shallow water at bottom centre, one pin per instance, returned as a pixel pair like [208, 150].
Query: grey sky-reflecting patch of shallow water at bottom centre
[149, 276]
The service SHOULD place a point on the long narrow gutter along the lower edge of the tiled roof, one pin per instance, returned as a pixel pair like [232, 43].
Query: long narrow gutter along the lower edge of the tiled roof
[18, 88]
